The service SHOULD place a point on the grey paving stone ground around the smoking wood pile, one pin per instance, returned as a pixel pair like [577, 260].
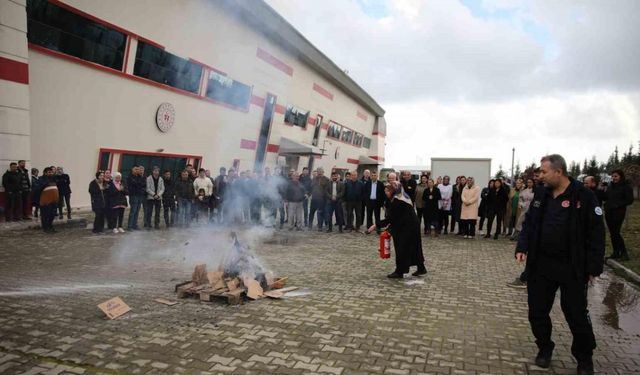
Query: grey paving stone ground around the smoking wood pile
[460, 319]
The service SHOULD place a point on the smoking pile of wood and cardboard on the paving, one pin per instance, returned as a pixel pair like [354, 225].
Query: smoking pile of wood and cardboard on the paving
[239, 274]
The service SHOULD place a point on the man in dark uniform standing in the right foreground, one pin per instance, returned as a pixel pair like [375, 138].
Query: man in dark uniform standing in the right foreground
[562, 241]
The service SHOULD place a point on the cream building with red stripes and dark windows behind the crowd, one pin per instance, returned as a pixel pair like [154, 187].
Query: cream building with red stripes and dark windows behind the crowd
[94, 85]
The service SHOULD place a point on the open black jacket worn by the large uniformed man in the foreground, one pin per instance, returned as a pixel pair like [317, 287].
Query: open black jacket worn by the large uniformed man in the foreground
[586, 230]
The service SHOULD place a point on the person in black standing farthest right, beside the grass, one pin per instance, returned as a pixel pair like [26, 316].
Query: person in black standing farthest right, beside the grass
[618, 196]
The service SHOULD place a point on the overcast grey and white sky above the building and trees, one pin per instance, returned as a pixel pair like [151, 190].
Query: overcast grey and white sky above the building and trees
[475, 78]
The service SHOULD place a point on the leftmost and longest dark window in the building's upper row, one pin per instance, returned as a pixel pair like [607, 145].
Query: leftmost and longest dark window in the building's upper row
[60, 30]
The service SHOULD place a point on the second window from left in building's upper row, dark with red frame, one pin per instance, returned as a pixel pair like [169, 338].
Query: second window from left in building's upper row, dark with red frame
[163, 67]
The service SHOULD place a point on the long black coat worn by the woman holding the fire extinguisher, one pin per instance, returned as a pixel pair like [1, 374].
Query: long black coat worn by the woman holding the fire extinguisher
[405, 230]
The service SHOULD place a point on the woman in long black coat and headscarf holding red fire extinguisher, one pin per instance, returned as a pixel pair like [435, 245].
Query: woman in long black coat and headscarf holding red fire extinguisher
[403, 226]
